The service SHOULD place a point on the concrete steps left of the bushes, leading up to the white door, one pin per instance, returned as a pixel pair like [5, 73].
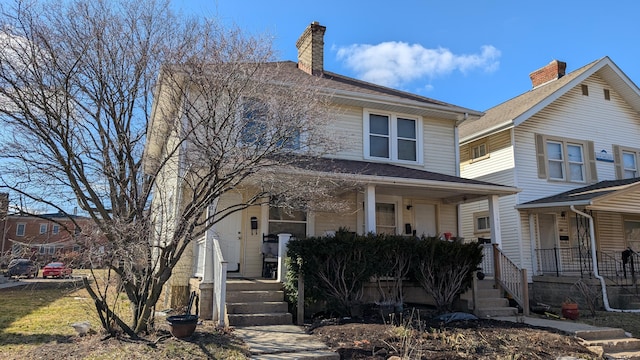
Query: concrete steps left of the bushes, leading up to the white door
[254, 302]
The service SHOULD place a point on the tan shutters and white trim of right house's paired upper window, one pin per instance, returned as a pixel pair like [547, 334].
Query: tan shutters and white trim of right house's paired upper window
[588, 159]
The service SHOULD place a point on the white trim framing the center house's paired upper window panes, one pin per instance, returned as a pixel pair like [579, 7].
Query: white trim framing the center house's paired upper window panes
[393, 136]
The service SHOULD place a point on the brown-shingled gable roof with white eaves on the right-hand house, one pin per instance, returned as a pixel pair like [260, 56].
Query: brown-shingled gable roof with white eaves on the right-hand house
[515, 111]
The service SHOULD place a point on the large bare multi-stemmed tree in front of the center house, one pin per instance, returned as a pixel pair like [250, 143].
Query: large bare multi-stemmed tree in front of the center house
[83, 86]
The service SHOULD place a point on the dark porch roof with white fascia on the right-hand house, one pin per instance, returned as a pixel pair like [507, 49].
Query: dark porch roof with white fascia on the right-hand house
[609, 195]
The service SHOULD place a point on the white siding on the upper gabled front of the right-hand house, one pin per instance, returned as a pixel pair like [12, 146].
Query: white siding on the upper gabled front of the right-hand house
[575, 116]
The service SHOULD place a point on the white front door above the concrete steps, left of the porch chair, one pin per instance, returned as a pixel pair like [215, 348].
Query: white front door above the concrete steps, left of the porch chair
[228, 231]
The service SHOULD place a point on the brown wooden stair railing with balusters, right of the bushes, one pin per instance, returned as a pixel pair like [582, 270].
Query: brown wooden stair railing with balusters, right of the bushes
[511, 278]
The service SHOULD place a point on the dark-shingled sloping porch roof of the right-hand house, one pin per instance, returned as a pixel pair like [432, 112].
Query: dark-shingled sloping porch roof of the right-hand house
[588, 196]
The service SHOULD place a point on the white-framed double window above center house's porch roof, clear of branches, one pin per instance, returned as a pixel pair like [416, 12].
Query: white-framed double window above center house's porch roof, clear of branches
[392, 137]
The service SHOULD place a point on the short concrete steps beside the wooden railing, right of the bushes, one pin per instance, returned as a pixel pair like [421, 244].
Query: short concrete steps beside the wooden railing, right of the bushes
[491, 302]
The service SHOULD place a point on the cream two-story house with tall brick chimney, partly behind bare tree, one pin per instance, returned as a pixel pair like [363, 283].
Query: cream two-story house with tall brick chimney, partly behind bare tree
[400, 149]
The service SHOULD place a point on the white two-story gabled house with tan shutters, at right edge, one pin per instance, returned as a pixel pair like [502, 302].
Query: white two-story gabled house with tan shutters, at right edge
[572, 145]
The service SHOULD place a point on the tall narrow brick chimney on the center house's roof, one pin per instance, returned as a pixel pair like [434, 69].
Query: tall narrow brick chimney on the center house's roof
[311, 49]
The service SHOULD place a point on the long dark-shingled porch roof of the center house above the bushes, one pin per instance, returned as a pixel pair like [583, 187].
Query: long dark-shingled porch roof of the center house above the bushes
[402, 180]
